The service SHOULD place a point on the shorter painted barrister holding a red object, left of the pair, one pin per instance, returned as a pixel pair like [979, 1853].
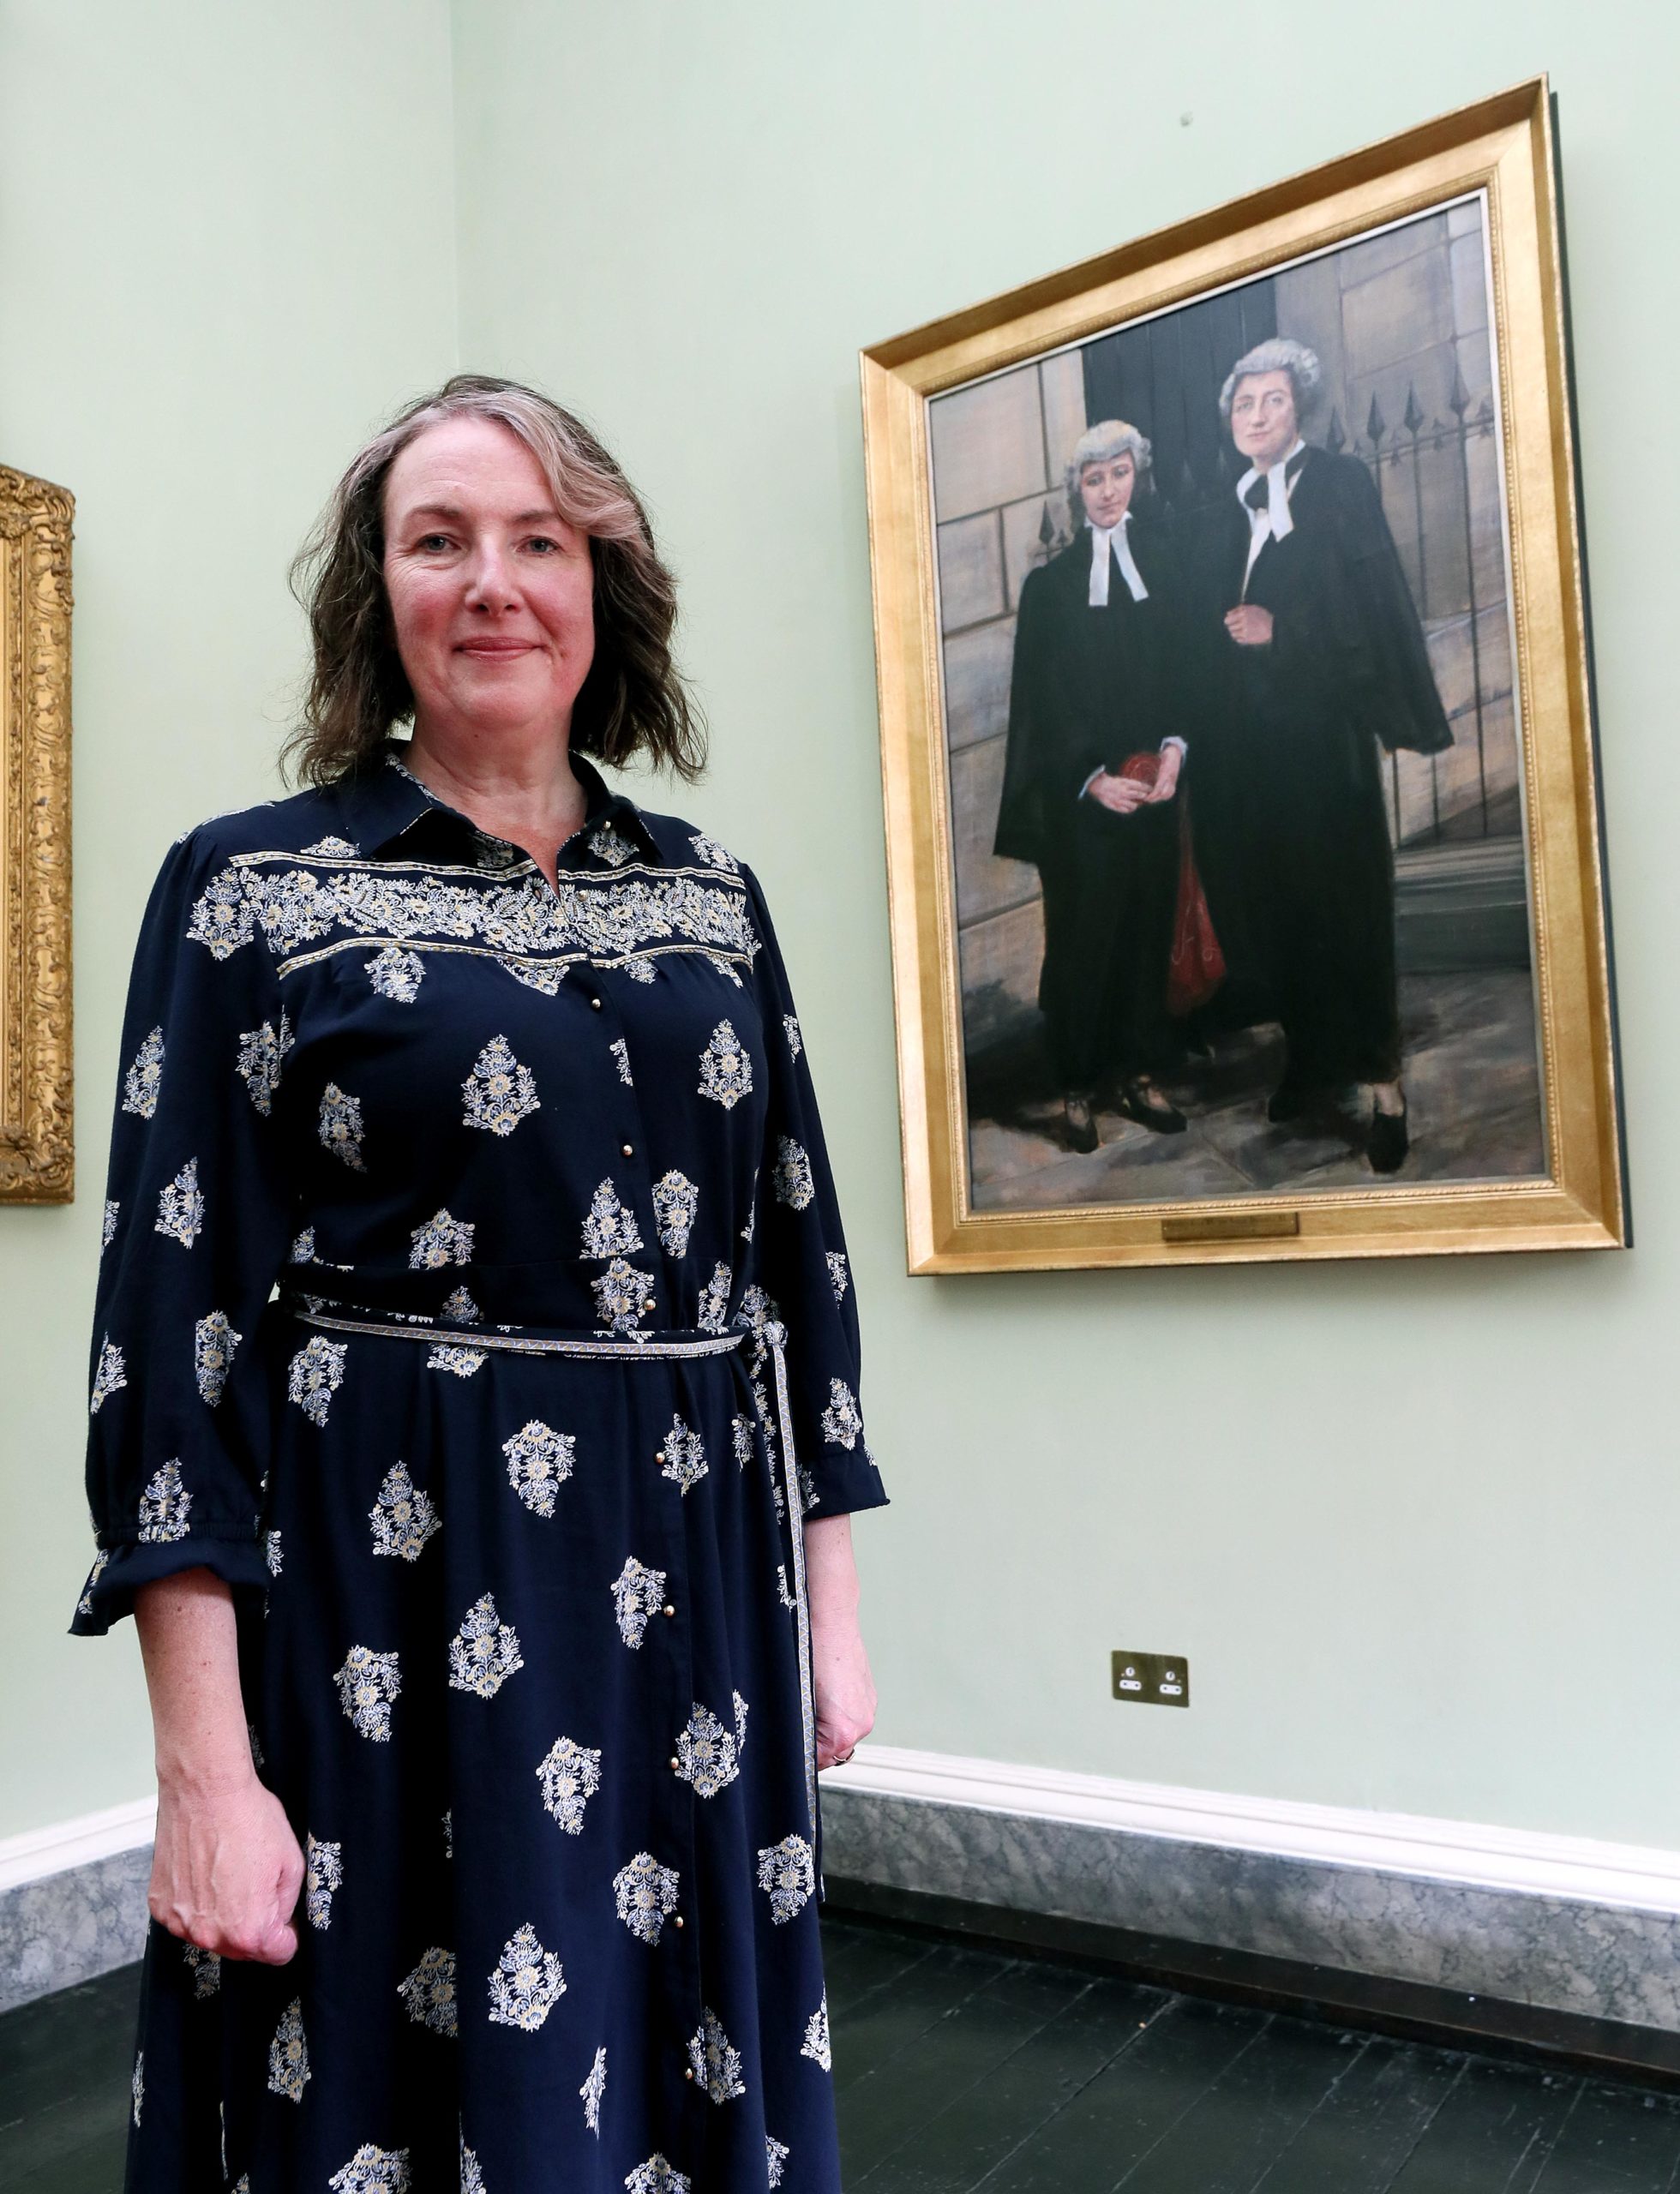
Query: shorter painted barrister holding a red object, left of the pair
[1096, 683]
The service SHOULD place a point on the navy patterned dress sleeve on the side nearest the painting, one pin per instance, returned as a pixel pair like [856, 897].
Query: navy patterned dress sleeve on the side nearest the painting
[802, 1258]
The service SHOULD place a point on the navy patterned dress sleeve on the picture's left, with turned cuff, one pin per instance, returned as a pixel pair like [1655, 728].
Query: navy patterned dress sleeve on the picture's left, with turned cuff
[196, 1230]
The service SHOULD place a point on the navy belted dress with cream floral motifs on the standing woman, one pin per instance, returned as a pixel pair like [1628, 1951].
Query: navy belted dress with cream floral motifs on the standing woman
[475, 1304]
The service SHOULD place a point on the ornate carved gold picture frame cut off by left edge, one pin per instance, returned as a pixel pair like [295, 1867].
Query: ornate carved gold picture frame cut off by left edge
[36, 1056]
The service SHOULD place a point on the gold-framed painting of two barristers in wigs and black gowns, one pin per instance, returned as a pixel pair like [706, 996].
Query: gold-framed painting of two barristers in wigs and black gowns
[1242, 811]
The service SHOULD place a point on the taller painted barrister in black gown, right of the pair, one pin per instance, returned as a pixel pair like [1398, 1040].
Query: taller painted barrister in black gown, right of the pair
[1315, 666]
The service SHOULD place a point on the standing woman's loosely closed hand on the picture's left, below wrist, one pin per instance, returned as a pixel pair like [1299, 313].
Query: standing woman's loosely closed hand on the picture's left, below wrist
[227, 1870]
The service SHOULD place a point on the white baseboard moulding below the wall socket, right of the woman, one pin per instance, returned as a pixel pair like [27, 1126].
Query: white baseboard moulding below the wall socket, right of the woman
[1521, 1862]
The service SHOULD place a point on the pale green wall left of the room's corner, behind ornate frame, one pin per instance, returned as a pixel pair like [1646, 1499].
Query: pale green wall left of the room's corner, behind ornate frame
[227, 245]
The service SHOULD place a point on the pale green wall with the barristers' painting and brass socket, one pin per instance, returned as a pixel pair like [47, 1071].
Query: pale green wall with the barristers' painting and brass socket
[1416, 1528]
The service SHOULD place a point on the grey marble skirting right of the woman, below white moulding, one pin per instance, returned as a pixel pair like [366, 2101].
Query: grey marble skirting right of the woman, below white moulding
[1492, 1943]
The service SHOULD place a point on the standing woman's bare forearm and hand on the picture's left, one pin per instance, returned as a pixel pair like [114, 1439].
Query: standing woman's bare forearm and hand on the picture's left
[227, 1868]
